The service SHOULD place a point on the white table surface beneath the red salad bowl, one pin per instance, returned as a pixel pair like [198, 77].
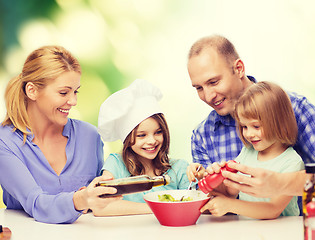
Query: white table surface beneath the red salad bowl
[147, 227]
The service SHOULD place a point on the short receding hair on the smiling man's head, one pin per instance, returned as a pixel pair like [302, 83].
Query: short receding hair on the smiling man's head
[219, 43]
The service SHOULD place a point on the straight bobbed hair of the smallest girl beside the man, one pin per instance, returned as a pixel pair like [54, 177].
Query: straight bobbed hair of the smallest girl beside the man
[271, 106]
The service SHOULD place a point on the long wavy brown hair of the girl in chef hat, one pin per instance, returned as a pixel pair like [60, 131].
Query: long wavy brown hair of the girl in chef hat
[161, 161]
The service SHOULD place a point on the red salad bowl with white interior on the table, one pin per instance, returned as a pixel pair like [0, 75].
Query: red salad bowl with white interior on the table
[177, 214]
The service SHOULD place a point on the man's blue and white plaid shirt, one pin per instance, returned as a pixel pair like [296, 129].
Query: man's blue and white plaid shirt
[215, 139]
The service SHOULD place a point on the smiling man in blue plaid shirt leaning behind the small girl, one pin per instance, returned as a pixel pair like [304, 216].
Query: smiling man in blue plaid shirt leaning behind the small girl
[218, 75]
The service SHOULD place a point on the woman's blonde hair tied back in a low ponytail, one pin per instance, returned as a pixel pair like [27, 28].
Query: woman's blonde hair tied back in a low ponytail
[41, 67]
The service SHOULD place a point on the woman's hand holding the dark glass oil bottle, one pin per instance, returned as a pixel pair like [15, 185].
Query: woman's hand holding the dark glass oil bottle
[88, 198]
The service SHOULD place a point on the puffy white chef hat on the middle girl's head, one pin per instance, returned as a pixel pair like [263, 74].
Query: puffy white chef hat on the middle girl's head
[121, 112]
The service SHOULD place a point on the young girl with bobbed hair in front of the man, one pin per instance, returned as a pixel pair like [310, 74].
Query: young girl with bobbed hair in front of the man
[268, 129]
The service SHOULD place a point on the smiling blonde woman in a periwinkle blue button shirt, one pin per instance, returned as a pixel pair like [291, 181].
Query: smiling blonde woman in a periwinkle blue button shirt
[45, 157]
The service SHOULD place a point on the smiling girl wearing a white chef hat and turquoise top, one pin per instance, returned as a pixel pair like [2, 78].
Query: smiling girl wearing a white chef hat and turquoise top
[134, 116]
